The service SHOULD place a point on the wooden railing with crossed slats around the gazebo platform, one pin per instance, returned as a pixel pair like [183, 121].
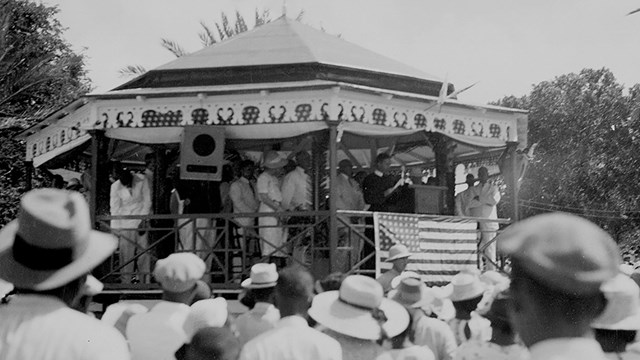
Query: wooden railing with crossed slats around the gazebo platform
[230, 249]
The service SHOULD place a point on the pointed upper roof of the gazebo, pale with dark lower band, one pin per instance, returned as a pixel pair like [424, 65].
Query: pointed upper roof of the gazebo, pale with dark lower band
[287, 47]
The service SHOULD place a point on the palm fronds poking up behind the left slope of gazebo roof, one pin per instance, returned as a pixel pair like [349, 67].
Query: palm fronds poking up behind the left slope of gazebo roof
[207, 36]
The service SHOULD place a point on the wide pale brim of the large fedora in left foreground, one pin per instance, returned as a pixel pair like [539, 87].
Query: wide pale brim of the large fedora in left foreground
[99, 247]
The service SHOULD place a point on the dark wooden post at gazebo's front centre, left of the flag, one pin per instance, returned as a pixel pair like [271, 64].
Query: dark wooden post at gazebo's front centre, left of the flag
[333, 218]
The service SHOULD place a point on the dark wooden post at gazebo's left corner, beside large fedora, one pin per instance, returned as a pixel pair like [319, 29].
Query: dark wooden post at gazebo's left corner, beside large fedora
[100, 185]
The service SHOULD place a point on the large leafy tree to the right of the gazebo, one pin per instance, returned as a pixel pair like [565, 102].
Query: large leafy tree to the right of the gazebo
[586, 161]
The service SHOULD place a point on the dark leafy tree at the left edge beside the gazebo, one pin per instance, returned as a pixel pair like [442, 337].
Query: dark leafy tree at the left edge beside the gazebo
[39, 72]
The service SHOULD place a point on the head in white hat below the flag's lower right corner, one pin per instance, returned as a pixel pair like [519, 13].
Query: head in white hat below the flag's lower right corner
[467, 292]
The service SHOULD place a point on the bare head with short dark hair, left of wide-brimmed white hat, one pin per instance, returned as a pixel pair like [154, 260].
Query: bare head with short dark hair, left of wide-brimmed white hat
[294, 291]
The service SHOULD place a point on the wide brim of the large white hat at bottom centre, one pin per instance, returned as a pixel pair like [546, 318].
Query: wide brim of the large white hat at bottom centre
[358, 323]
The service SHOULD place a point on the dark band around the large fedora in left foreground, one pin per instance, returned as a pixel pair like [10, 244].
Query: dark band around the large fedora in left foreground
[39, 258]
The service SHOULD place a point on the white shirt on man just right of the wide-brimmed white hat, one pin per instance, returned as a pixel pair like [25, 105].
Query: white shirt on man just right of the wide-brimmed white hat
[436, 335]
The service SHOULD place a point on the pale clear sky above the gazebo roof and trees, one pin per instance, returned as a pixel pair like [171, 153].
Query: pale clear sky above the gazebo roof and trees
[506, 46]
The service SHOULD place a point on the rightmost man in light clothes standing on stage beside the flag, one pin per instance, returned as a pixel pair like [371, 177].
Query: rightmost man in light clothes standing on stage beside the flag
[483, 205]
